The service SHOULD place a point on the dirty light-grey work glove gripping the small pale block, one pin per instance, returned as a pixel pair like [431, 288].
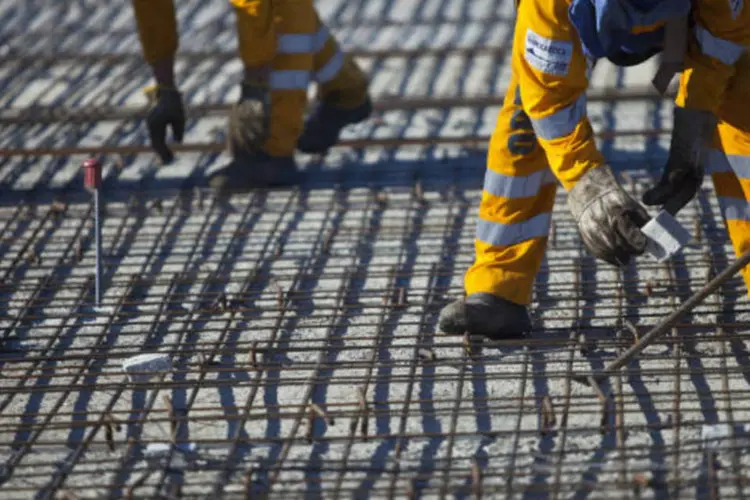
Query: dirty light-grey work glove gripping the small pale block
[608, 218]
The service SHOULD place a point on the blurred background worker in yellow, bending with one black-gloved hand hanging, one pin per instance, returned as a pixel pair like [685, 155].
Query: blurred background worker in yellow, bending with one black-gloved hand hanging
[284, 47]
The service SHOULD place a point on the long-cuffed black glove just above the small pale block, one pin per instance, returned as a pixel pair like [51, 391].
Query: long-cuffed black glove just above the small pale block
[683, 174]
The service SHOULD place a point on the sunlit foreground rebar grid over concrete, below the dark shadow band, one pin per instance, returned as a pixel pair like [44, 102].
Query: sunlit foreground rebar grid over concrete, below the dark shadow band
[294, 317]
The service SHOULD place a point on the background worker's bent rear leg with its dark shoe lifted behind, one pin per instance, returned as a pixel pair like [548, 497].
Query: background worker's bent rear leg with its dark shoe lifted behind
[342, 95]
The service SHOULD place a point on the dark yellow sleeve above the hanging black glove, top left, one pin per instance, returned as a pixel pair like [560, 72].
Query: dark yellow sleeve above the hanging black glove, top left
[157, 28]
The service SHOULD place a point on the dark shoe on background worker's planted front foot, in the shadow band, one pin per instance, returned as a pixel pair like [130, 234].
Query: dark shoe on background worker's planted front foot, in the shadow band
[249, 171]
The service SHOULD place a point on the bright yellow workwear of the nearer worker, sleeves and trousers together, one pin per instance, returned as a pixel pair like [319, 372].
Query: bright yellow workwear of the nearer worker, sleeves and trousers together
[543, 136]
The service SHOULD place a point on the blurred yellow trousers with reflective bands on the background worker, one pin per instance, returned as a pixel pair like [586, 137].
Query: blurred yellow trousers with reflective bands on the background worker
[288, 37]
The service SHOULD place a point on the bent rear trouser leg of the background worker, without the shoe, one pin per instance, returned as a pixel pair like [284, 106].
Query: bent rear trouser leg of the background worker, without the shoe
[339, 77]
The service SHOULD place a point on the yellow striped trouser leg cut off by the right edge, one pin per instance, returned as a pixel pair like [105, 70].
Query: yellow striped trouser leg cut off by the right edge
[730, 161]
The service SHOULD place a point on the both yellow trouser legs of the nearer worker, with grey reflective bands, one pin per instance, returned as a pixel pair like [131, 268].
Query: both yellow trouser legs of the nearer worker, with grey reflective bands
[519, 193]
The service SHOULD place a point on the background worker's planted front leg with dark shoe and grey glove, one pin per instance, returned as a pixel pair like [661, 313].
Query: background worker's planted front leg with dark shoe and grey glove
[276, 44]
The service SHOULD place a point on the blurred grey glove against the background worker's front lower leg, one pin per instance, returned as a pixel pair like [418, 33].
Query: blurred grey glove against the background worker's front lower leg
[249, 120]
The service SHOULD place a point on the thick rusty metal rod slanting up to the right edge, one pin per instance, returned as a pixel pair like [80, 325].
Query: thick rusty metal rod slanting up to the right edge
[670, 320]
